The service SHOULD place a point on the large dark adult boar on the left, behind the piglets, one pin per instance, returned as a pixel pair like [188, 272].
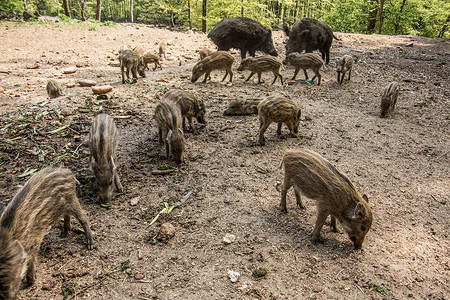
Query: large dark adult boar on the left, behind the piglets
[243, 34]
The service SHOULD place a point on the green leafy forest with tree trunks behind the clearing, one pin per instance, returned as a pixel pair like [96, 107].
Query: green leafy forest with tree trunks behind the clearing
[415, 17]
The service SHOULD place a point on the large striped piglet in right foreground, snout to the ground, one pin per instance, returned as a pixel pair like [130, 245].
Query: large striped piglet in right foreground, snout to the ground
[313, 176]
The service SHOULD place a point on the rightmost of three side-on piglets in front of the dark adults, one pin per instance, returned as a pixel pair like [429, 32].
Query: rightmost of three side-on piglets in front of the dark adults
[305, 61]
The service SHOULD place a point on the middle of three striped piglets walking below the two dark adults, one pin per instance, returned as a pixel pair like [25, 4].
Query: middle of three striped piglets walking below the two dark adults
[262, 64]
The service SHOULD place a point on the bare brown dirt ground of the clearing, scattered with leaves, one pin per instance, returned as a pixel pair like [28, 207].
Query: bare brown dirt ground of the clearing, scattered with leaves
[400, 162]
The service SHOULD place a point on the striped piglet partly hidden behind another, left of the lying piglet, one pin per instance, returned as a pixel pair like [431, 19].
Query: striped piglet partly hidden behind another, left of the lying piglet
[189, 106]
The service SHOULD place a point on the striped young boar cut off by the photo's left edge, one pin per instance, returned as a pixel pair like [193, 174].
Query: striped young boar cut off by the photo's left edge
[45, 197]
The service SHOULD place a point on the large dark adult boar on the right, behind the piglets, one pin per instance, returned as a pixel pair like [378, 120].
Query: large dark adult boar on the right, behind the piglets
[310, 34]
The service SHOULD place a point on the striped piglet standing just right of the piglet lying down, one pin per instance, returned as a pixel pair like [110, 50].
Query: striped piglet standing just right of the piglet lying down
[280, 110]
